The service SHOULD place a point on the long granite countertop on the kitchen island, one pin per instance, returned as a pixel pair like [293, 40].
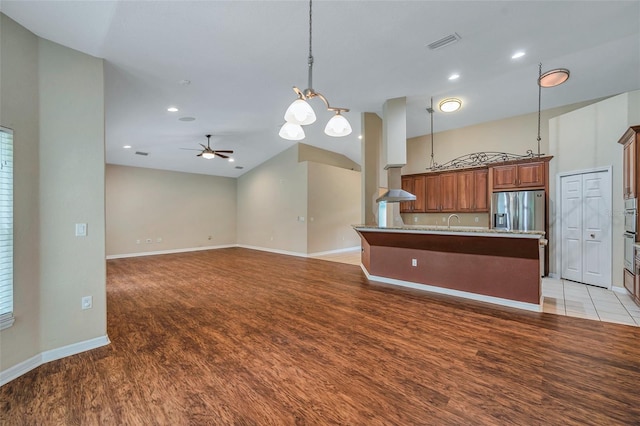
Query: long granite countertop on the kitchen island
[454, 230]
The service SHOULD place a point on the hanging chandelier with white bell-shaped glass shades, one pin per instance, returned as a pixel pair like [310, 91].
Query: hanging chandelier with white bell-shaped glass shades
[300, 112]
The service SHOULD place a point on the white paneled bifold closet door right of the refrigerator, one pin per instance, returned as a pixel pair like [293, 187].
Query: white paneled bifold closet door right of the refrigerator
[586, 228]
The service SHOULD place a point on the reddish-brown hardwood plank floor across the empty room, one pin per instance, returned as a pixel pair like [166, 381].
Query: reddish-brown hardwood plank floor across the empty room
[236, 336]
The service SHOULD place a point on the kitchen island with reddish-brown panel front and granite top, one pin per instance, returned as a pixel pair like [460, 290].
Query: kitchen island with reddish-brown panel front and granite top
[490, 265]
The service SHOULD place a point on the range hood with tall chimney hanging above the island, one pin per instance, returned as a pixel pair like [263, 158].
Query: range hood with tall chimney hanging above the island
[394, 149]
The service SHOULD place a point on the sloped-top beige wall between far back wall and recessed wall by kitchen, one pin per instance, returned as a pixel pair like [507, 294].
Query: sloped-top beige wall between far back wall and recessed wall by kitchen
[271, 198]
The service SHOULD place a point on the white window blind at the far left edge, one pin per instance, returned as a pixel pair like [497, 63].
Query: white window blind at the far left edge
[6, 227]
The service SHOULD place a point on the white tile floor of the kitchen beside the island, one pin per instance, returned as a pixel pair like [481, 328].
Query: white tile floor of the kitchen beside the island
[564, 297]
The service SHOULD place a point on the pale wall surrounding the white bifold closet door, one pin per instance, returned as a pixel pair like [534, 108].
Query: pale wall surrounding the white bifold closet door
[586, 139]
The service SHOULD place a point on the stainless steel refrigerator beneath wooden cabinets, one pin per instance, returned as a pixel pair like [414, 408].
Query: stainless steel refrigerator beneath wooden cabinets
[518, 210]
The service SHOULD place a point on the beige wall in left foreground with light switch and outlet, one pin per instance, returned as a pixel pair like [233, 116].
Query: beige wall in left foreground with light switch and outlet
[52, 97]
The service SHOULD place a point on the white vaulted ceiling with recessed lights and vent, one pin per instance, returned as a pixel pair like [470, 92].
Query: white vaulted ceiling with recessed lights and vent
[243, 57]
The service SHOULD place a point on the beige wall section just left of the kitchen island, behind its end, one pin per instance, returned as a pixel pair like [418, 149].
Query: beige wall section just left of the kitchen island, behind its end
[333, 206]
